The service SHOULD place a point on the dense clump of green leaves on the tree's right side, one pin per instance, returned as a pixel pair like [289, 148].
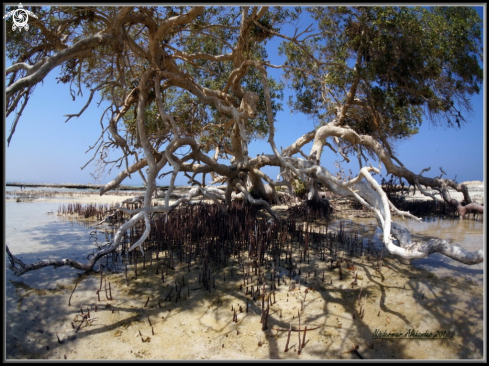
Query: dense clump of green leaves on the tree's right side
[403, 63]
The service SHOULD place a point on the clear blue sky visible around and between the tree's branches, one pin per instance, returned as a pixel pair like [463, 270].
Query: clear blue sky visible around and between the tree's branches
[45, 149]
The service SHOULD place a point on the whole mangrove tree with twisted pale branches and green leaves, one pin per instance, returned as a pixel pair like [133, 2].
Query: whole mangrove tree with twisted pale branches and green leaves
[198, 76]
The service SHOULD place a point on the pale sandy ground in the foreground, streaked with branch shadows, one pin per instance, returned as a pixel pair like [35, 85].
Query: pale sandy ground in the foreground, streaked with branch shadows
[394, 312]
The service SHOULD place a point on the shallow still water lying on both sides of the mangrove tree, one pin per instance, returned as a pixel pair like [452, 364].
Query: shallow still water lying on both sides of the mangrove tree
[33, 234]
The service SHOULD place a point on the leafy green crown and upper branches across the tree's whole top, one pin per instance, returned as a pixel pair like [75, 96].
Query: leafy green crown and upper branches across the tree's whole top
[378, 70]
